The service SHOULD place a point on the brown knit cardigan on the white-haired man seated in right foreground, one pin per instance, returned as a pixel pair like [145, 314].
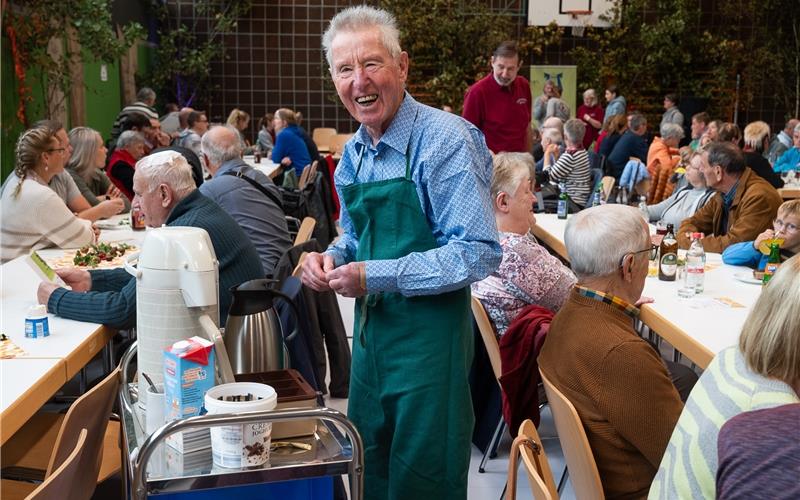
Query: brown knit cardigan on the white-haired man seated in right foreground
[620, 388]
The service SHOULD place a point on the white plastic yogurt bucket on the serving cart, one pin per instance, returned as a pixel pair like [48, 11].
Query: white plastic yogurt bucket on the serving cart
[242, 445]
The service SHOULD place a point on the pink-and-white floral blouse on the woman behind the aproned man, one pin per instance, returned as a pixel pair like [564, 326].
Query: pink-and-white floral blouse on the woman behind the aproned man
[528, 274]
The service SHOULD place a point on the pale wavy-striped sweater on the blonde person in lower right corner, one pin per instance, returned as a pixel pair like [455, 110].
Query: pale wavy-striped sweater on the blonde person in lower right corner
[727, 388]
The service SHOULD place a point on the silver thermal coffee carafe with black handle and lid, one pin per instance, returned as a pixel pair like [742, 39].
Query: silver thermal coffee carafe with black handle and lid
[253, 334]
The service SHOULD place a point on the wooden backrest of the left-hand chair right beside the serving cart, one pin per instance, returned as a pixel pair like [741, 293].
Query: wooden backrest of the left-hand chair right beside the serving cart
[91, 412]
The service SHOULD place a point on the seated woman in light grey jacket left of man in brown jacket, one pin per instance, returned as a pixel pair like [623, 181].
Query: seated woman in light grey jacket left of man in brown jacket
[690, 194]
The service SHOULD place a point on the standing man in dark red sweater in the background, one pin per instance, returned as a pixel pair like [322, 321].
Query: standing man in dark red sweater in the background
[500, 103]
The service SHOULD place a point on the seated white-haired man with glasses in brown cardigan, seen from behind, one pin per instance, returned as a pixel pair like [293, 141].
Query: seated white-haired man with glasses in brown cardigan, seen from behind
[623, 391]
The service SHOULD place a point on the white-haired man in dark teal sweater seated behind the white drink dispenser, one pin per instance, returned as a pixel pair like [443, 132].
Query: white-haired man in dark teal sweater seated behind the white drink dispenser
[166, 194]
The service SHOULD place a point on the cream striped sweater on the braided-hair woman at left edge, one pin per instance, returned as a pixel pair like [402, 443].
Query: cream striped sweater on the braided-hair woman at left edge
[37, 218]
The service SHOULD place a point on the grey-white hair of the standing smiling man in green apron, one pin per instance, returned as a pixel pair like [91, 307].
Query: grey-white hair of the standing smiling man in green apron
[354, 19]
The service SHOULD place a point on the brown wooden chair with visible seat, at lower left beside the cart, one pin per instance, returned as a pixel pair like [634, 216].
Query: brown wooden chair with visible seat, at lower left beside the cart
[47, 439]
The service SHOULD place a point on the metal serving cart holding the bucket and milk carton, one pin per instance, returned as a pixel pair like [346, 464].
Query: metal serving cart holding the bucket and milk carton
[151, 468]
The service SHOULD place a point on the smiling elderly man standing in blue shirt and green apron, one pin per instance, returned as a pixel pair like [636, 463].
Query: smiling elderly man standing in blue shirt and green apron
[418, 228]
